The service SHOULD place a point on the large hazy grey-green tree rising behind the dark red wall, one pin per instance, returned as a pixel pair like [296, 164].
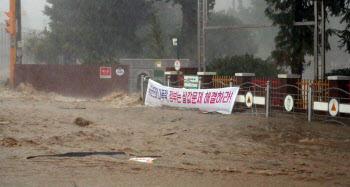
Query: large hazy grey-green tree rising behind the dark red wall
[96, 31]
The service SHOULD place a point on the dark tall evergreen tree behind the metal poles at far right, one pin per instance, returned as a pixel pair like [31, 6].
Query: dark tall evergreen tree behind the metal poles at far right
[294, 43]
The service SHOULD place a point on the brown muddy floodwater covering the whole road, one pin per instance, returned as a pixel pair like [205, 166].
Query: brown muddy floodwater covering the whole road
[192, 148]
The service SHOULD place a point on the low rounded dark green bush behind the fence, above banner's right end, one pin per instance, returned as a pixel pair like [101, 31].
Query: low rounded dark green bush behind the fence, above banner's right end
[244, 64]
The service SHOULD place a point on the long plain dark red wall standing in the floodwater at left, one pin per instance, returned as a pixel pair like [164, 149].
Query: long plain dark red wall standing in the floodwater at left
[72, 80]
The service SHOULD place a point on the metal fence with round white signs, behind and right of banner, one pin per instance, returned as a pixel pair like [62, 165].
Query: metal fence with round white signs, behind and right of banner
[271, 97]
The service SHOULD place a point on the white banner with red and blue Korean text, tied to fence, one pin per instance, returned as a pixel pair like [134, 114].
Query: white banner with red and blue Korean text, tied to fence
[210, 100]
